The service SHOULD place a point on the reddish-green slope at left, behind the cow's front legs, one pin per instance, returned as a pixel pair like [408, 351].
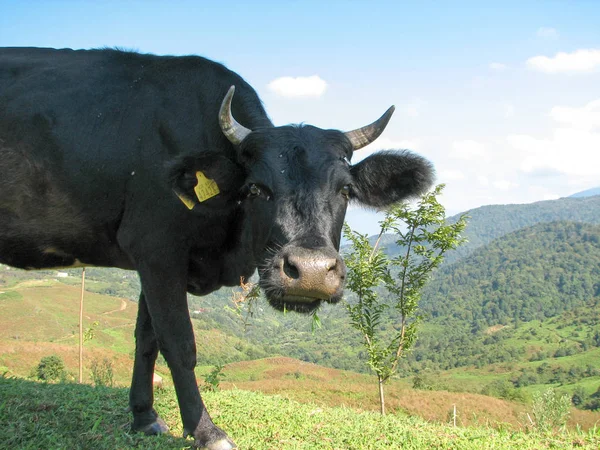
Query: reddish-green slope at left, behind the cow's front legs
[41, 316]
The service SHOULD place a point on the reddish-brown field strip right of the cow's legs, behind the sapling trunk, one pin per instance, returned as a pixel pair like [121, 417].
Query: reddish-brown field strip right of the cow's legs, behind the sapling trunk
[306, 382]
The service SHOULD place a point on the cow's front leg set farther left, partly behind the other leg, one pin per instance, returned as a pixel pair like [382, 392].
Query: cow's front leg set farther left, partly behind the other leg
[141, 394]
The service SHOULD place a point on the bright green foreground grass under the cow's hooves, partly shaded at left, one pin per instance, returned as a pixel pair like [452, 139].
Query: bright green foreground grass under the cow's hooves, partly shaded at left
[71, 416]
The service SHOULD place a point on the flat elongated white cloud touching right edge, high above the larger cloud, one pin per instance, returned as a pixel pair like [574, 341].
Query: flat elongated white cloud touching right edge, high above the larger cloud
[579, 61]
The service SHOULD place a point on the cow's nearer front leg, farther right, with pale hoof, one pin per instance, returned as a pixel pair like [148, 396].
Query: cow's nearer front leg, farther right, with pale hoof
[164, 289]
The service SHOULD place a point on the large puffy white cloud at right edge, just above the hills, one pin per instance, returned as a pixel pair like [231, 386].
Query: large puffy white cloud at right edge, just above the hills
[573, 148]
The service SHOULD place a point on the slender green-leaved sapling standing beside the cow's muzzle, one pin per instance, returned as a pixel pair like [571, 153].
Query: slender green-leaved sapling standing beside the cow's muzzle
[391, 287]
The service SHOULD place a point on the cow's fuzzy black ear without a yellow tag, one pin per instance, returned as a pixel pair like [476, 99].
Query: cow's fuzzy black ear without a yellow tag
[390, 176]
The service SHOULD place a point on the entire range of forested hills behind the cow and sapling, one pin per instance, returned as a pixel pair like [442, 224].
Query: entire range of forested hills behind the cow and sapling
[513, 274]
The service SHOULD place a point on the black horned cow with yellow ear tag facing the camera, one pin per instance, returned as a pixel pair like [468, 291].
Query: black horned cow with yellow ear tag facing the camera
[119, 159]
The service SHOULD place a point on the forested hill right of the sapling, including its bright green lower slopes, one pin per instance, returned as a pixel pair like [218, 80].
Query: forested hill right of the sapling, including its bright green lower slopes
[548, 274]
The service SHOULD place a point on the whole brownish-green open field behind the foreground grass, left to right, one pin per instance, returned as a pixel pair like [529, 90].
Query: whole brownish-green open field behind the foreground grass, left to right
[40, 317]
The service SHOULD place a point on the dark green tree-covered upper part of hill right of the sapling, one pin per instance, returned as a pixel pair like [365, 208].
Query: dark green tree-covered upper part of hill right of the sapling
[532, 274]
